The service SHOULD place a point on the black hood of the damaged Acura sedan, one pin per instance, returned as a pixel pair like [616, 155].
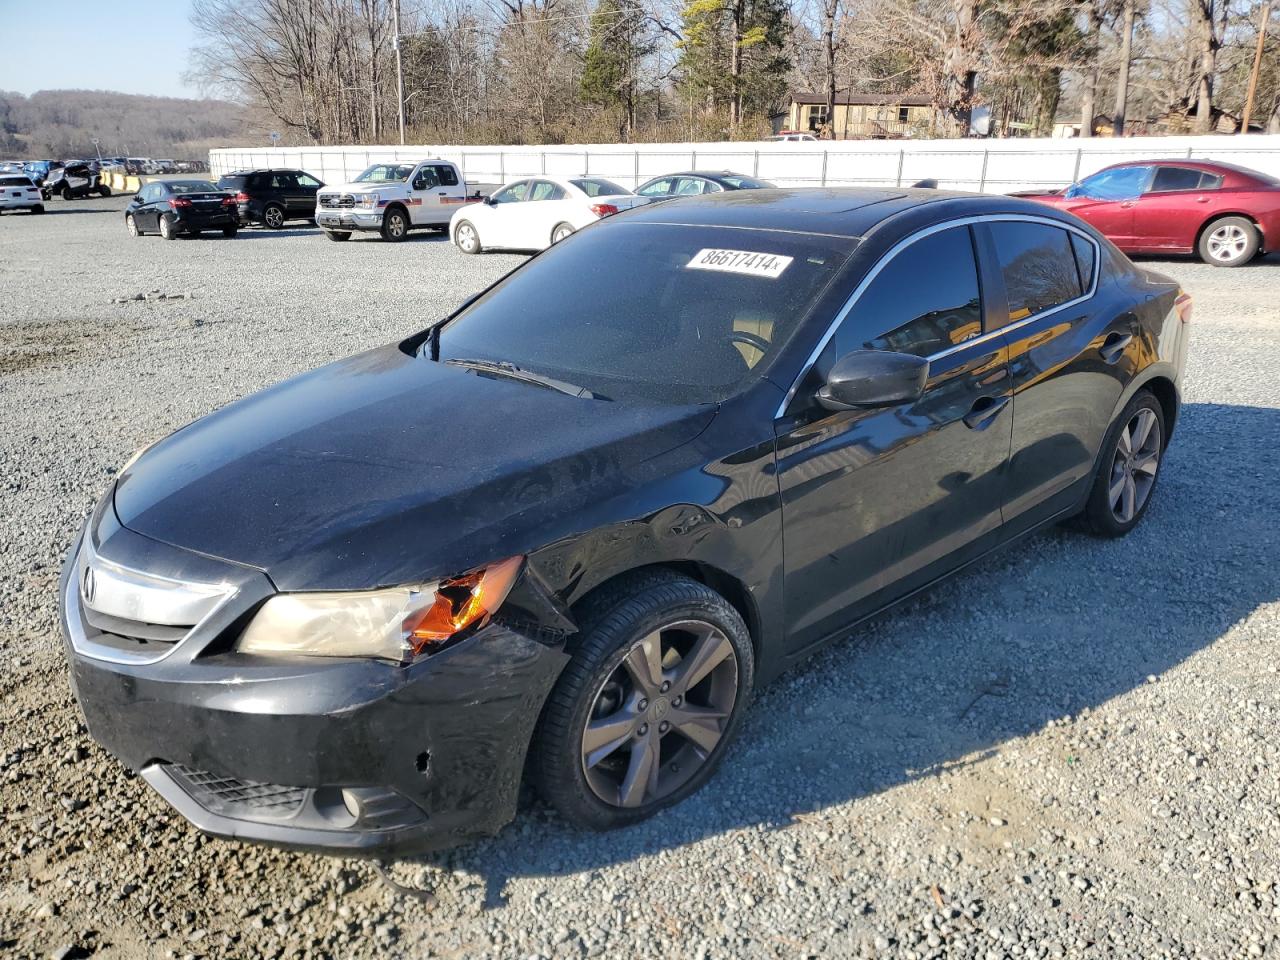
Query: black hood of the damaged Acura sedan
[386, 469]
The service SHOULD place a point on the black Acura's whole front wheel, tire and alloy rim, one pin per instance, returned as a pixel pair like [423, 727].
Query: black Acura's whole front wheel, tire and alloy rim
[643, 714]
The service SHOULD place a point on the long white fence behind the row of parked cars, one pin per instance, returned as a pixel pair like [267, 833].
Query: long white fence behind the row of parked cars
[991, 167]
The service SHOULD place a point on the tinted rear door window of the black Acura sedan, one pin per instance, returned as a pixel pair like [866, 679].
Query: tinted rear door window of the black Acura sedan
[1037, 264]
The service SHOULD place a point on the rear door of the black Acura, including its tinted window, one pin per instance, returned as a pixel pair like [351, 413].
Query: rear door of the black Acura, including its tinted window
[1071, 351]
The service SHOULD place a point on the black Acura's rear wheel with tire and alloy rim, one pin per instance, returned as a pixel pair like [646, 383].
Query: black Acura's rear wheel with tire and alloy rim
[1128, 469]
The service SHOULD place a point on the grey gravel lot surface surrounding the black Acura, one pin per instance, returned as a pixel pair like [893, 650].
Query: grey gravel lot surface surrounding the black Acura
[1069, 751]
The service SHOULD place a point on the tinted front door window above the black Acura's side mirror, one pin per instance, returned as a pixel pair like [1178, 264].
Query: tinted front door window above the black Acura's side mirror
[924, 301]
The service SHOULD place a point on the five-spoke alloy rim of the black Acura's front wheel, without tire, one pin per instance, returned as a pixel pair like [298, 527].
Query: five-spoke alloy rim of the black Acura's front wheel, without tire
[661, 714]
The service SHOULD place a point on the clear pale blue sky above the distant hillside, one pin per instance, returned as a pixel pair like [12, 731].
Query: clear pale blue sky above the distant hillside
[135, 48]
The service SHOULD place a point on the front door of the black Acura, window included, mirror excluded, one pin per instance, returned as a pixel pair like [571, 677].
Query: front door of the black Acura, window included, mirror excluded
[880, 502]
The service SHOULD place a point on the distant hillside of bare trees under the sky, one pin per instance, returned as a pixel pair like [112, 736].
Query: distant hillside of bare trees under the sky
[61, 124]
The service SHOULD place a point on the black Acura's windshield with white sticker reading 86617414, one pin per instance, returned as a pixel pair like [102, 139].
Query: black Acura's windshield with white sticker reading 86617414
[652, 313]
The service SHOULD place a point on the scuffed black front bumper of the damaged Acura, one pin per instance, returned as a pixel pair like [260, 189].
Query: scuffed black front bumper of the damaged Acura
[342, 756]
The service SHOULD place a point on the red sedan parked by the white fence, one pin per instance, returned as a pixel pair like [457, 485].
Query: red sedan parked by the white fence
[1224, 213]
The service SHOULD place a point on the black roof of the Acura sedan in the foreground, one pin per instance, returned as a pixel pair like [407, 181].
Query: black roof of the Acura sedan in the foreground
[838, 212]
